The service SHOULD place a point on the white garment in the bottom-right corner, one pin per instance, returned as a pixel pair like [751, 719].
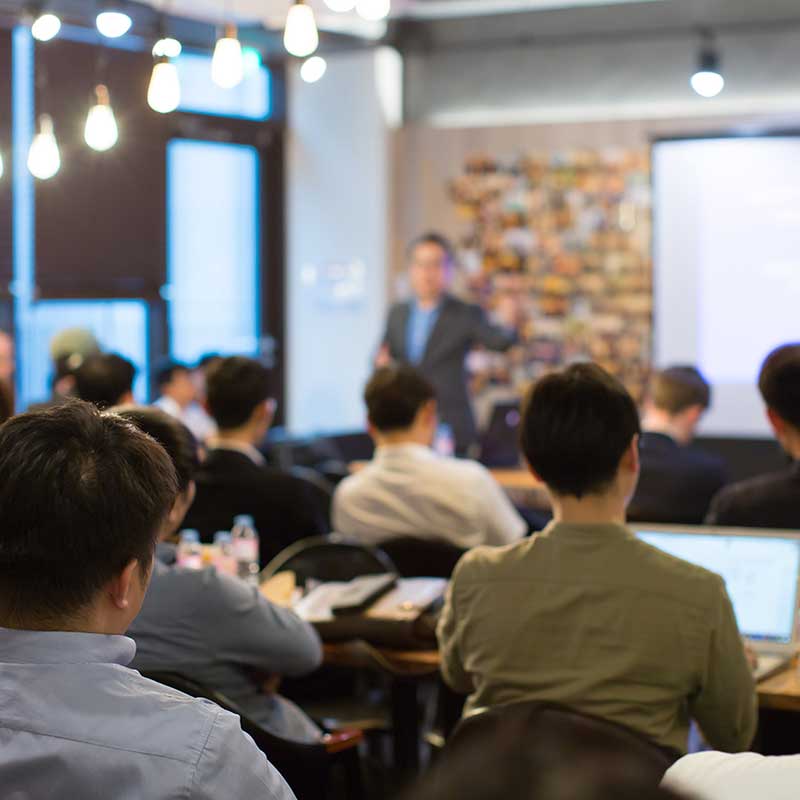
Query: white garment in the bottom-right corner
[747, 776]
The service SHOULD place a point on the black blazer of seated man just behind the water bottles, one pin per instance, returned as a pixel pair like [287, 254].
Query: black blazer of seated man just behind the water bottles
[230, 483]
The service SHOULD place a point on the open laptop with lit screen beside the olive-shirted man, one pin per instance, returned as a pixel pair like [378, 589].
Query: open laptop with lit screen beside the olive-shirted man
[761, 569]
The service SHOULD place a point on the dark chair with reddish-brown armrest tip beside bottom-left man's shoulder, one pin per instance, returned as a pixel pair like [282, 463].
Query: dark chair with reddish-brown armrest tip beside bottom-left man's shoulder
[307, 768]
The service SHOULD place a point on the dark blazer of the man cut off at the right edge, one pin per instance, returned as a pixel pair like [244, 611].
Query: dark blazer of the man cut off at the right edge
[767, 501]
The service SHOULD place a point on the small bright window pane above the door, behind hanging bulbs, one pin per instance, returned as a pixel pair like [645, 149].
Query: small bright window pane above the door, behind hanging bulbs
[199, 94]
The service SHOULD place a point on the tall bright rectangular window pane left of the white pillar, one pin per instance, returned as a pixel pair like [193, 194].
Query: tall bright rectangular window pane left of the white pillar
[213, 244]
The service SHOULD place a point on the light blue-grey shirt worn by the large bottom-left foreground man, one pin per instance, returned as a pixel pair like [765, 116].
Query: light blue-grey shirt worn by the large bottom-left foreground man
[77, 722]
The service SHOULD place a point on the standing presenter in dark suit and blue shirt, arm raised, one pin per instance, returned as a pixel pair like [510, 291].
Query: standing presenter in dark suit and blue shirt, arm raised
[435, 331]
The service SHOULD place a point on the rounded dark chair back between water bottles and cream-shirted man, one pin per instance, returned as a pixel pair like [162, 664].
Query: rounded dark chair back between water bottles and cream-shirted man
[329, 558]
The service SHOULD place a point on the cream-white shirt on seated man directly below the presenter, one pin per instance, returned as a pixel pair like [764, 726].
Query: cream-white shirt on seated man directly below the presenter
[408, 490]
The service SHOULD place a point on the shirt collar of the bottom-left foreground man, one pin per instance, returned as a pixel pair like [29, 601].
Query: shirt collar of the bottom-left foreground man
[64, 647]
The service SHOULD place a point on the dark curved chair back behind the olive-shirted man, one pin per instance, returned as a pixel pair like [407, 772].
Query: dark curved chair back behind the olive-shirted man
[571, 732]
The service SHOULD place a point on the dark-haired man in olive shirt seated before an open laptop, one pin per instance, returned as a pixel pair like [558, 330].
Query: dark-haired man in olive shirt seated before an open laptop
[584, 613]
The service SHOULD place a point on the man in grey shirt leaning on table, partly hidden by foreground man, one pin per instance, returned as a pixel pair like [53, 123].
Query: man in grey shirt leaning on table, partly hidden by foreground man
[214, 628]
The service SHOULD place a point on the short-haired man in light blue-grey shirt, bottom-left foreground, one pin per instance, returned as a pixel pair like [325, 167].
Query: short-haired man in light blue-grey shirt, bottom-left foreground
[83, 497]
